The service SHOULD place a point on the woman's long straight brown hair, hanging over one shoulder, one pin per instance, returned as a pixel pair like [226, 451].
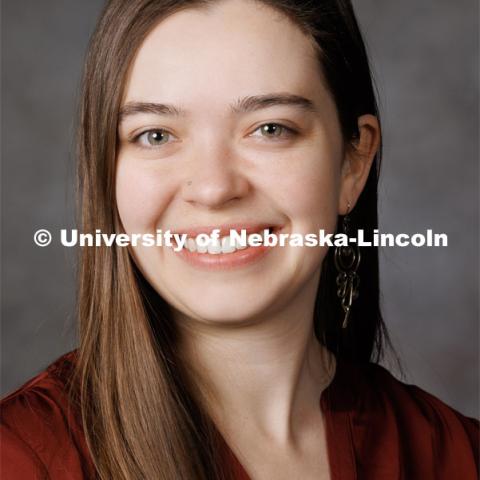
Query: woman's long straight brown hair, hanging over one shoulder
[140, 414]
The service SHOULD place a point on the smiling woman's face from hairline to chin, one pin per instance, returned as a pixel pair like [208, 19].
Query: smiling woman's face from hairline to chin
[227, 122]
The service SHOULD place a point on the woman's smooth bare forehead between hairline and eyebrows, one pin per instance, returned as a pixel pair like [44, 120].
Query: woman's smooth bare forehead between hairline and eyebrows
[232, 48]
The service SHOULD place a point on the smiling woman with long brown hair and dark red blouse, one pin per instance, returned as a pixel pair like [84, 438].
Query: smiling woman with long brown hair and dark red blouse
[255, 362]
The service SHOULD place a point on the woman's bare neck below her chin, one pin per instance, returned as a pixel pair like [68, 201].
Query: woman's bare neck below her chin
[269, 374]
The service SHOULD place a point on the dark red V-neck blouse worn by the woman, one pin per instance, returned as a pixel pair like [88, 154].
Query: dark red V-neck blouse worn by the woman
[377, 428]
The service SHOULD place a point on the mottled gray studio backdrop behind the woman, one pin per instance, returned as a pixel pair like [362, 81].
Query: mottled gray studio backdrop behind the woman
[424, 54]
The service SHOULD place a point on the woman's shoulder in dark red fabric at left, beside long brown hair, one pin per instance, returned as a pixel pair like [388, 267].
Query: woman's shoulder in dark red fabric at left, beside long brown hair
[40, 428]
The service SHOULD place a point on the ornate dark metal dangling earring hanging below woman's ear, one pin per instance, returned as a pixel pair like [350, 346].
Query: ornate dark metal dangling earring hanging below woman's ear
[347, 260]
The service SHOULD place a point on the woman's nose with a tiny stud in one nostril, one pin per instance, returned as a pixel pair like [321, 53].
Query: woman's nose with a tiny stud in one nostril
[215, 177]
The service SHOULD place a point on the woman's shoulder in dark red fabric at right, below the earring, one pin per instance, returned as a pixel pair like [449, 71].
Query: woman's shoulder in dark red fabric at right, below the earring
[421, 435]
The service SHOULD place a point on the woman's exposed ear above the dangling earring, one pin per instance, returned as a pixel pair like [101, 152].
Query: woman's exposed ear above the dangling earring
[357, 162]
